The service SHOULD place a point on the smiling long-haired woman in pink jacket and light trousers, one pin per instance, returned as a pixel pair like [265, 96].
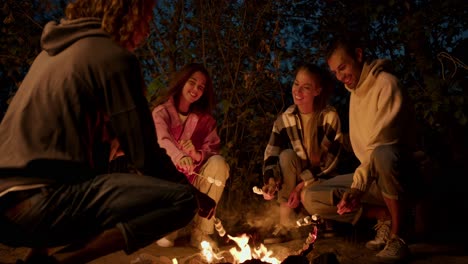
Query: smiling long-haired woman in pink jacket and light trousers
[187, 130]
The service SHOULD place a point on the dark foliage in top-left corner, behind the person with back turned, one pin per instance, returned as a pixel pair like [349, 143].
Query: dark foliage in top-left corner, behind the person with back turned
[21, 24]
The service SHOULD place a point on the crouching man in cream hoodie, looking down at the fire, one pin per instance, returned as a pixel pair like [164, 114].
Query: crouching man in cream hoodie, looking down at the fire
[380, 120]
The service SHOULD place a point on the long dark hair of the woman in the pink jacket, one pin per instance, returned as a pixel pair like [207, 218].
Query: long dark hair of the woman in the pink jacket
[176, 85]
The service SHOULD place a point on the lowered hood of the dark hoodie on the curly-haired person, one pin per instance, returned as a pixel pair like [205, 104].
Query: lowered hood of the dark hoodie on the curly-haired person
[57, 37]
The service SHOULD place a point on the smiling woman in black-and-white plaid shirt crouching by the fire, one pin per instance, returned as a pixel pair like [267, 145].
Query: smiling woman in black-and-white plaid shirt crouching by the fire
[303, 148]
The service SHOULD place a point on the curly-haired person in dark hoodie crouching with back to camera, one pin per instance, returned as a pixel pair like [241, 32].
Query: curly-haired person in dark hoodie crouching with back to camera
[81, 100]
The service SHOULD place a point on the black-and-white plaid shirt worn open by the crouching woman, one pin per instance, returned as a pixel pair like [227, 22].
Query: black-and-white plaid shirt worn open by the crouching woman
[287, 133]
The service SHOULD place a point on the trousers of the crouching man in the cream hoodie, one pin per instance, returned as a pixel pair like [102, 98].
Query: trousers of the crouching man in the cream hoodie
[388, 170]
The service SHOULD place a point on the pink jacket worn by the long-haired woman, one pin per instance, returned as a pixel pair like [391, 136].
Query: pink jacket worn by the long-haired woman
[200, 128]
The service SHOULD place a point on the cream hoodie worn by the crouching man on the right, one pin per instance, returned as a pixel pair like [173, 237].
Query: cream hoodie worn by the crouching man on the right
[375, 116]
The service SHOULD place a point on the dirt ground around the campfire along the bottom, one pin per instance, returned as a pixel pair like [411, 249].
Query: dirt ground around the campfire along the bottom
[443, 242]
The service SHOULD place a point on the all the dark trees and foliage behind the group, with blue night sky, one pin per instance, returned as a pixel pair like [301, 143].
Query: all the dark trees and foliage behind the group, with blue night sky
[252, 47]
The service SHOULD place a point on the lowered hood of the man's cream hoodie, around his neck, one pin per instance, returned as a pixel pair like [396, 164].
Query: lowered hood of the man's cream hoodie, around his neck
[369, 73]
